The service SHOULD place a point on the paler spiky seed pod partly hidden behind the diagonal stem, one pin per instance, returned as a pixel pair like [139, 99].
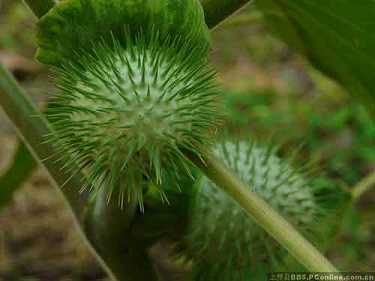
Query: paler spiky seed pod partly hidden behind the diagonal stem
[225, 243]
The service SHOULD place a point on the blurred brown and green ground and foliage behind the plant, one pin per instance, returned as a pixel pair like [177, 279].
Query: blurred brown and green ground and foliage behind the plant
[269, 92]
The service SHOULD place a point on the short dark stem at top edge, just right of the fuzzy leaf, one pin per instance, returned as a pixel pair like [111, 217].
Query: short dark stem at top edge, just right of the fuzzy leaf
[218, 10]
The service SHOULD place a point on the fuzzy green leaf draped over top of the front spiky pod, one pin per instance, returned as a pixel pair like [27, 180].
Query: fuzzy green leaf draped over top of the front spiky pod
[75, 24]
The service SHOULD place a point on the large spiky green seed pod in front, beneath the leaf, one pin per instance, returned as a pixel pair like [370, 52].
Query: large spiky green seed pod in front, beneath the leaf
[124, 113]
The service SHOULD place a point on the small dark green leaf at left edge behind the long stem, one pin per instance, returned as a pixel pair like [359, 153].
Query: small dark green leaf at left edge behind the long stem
[21, 168]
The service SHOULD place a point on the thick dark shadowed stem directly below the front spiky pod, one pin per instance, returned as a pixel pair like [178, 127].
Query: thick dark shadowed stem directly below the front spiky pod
[109, 229]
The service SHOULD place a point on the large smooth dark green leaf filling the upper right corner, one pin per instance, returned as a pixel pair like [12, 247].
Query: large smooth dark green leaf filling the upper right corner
[337, 37]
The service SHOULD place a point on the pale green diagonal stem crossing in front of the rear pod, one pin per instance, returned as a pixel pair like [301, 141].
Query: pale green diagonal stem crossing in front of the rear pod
[263, 214]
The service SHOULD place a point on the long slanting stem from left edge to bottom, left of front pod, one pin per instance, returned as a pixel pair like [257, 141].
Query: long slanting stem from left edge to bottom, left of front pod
[32, 128]
